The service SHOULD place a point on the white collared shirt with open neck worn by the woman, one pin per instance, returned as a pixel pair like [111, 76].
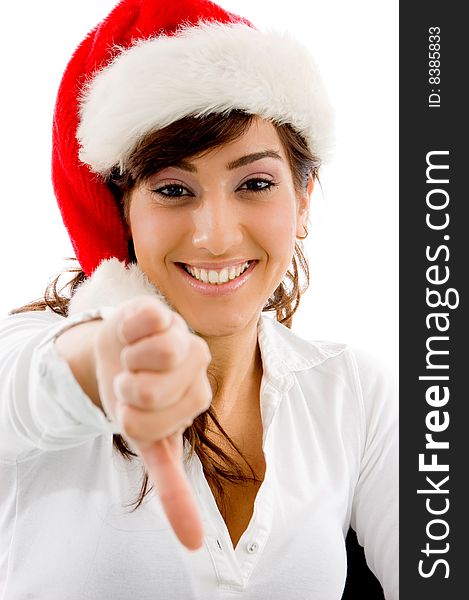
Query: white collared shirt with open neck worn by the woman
[329, 417]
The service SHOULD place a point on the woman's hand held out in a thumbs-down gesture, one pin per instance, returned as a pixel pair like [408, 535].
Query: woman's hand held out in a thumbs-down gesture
[152, 379]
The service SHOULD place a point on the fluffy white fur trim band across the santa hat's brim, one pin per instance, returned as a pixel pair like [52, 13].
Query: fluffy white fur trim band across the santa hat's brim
[210, 68]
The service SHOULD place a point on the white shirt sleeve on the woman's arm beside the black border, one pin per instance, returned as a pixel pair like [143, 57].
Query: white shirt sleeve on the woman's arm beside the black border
[375, 507]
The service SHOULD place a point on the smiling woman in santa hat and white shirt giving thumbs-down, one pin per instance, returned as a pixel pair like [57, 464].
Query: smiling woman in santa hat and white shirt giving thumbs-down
[186, 147]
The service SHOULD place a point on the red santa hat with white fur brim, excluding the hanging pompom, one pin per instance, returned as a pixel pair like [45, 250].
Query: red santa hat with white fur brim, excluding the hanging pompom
[147, 65]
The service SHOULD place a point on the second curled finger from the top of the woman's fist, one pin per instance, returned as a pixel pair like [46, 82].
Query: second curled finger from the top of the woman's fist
[160, 352]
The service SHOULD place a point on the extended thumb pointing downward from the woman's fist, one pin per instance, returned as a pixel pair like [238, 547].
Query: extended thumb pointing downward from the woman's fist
[177, 498]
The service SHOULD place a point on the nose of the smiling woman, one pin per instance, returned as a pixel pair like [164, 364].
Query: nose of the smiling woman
[217, 226]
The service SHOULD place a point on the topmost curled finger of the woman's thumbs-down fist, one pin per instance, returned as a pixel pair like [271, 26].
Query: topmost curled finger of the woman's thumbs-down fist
[148, 317]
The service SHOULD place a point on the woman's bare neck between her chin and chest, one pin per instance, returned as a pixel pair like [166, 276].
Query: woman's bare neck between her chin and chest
[237, 369]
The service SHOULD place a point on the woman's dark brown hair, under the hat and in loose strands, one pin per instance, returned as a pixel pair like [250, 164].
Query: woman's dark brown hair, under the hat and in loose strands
[184, 139]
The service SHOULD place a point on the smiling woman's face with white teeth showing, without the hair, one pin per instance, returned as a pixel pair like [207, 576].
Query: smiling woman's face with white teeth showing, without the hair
[216, 233]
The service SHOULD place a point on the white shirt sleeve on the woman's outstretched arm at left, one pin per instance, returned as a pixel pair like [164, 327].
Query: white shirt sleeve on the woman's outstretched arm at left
[42, 406]
